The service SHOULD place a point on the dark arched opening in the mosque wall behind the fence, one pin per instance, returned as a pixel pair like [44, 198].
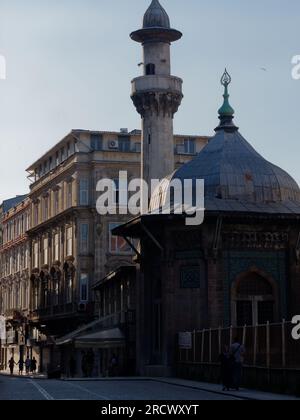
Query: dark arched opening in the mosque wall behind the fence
[253, 300]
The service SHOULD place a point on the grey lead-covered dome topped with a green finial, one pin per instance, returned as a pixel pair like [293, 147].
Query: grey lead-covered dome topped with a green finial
[235, 176]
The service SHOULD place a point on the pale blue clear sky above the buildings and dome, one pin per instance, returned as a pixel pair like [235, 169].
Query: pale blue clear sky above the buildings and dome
[70, 64]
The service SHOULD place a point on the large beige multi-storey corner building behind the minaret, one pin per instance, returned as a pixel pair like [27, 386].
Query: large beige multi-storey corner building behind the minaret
[72, 247]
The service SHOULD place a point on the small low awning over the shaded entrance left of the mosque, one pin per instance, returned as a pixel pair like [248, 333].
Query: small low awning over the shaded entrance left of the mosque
[101, 339]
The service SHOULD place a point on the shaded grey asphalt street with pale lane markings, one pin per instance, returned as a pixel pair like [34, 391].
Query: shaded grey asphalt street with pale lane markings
[29, 389]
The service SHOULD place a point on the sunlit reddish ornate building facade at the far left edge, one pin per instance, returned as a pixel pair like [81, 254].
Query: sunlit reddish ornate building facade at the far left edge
[14, 275]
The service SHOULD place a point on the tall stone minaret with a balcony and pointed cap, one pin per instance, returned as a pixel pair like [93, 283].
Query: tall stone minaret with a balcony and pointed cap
[157, 95]
